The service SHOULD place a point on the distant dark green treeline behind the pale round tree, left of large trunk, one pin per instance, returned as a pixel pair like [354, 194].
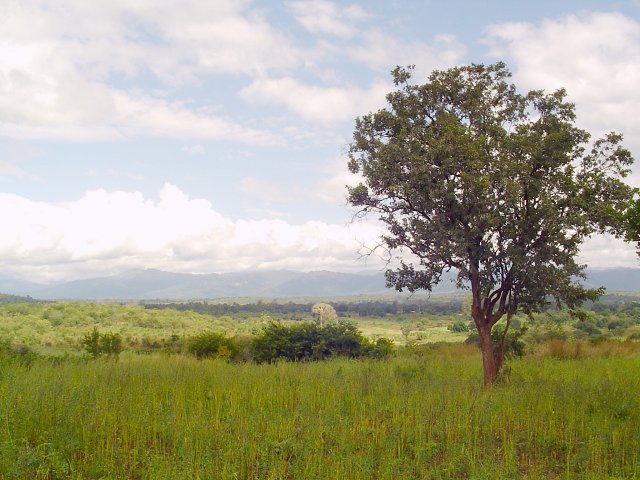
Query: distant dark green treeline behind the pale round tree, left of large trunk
[370, 308]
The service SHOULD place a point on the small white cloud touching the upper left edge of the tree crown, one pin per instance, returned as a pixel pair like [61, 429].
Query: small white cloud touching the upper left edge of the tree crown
[319, 103]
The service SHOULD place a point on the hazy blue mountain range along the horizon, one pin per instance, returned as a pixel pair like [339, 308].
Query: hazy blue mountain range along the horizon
[157, 284]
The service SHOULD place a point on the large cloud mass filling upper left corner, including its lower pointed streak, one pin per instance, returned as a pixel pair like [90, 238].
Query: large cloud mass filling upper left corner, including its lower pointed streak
[70, 71]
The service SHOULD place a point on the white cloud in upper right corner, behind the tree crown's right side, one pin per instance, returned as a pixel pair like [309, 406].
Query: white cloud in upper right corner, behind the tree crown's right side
[596, 56]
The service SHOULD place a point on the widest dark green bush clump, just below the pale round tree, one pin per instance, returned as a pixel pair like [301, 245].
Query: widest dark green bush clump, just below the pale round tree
[308, 341]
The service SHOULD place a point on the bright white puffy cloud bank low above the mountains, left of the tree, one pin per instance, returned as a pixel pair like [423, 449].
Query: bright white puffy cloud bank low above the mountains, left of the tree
[107, 232]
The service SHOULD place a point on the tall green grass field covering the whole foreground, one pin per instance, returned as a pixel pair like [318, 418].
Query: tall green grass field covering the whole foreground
[148, 417]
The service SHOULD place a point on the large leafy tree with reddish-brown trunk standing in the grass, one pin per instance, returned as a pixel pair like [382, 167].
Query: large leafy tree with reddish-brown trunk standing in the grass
[469, 174]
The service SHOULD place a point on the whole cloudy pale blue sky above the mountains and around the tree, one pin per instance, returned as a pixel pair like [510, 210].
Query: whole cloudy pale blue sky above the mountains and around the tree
[211, 136]
